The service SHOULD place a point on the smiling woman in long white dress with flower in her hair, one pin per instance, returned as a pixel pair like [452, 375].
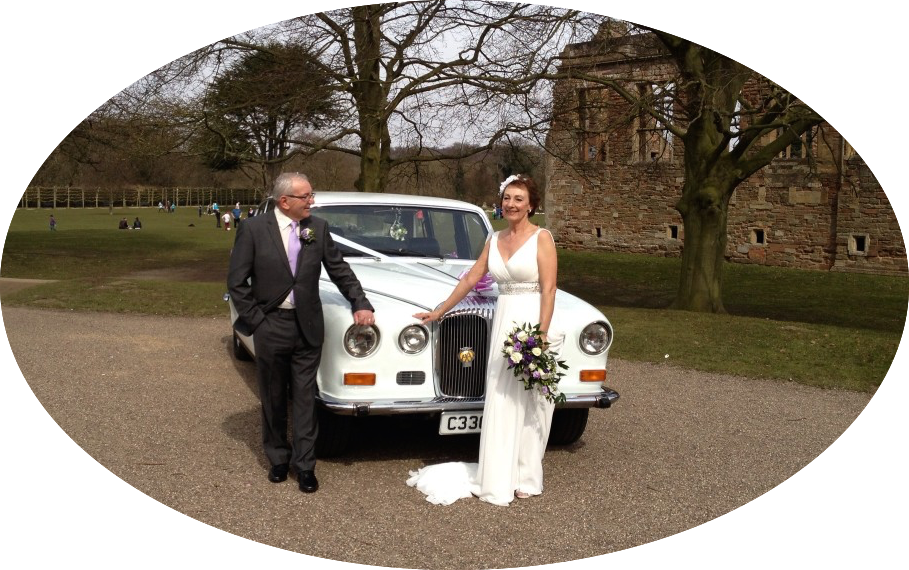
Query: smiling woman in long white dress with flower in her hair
[516, 422]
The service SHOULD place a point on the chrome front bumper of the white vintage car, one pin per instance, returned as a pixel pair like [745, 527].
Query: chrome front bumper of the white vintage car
[604, 399]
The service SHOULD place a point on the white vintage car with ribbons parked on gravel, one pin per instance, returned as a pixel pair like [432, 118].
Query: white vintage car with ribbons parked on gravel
[408, 252]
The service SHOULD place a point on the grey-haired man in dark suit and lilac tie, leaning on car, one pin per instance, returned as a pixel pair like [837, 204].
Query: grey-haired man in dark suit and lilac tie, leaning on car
[283, 252]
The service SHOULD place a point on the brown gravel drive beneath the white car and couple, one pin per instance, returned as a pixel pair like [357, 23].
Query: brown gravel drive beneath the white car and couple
[161, 404]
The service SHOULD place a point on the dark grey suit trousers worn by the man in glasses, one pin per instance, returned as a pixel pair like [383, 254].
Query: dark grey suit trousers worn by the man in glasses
[284, 360]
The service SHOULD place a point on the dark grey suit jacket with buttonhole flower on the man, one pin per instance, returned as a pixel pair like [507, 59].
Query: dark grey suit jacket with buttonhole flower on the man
[259, 278]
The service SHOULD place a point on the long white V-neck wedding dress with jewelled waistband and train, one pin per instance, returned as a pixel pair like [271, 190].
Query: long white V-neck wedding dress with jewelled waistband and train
[516, 421]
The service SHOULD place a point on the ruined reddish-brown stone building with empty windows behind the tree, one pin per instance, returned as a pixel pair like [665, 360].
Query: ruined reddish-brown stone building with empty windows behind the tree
[616, 182]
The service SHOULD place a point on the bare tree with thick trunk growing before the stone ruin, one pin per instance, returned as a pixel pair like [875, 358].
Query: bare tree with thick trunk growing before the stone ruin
[730, 120]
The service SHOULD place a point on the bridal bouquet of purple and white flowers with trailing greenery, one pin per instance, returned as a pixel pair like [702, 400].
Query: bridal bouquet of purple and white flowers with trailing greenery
[532, 363]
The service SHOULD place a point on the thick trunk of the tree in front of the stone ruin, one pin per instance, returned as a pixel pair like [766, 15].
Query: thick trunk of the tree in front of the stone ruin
[704, 207]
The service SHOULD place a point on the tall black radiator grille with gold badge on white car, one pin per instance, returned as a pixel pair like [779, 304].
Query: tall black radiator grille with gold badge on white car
[464, 327]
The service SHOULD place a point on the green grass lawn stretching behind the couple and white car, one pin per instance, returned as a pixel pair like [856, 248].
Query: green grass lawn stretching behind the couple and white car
[814, 327]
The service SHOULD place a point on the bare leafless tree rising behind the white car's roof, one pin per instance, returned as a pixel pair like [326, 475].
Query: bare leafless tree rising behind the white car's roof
[421, 74]
